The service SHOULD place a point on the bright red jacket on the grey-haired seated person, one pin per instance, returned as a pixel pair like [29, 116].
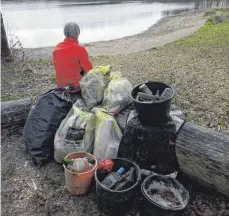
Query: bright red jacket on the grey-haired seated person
[70, 59]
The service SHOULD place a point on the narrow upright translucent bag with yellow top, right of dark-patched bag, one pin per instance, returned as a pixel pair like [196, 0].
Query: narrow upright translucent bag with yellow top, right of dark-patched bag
[107, 136]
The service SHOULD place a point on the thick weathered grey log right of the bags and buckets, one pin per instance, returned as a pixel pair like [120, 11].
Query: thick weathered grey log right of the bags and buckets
[203, 155]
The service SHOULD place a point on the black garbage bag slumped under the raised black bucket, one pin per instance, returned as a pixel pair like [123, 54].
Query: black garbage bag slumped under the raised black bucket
[151, 145]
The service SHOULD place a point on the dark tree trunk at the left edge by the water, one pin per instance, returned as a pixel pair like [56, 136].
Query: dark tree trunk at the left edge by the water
[5, 50]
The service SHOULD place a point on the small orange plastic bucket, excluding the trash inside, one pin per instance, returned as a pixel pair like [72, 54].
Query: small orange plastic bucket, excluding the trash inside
[78, 183]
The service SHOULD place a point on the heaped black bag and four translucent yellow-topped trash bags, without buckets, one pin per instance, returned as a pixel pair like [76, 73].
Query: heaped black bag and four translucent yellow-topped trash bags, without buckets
[62, 122]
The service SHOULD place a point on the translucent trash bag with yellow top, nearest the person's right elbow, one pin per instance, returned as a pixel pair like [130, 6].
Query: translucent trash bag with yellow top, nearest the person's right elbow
[93, 85]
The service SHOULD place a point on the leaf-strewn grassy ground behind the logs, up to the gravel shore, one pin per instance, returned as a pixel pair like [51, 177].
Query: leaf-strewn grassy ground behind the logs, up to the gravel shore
[196, 66]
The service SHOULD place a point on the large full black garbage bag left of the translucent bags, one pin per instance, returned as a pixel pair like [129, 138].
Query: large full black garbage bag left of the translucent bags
[43, 121]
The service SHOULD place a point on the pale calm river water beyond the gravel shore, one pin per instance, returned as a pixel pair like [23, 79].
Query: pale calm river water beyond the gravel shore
[40, 23]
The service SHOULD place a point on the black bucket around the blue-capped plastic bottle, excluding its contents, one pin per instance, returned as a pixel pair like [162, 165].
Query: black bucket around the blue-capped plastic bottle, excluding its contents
[117, 202]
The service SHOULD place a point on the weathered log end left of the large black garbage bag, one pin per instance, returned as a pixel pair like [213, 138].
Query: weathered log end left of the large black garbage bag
[15, 112]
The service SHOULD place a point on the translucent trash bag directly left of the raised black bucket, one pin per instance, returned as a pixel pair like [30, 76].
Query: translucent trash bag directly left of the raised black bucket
[117, 94]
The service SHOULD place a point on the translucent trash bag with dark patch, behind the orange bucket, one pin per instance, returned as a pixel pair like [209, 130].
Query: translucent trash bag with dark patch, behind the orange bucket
[76, 132]
